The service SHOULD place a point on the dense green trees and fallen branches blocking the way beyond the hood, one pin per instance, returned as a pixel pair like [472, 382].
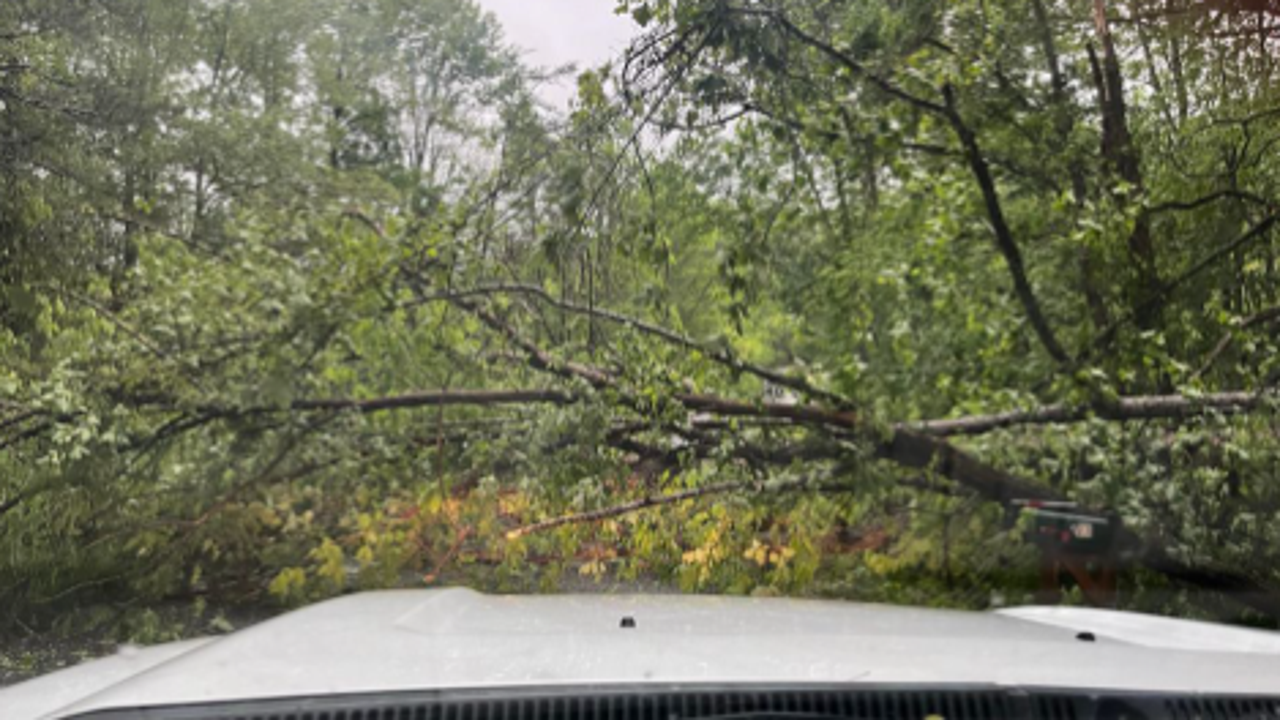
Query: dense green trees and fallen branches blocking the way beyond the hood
[799, 298]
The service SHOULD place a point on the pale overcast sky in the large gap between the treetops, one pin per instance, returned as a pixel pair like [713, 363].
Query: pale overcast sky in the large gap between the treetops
[555, 33]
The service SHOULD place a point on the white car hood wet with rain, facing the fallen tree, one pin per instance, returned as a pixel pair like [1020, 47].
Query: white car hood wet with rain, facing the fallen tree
[456, 639]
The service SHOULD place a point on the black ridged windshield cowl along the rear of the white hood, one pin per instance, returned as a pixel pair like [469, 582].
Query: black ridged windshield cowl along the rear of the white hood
[733, 703]
